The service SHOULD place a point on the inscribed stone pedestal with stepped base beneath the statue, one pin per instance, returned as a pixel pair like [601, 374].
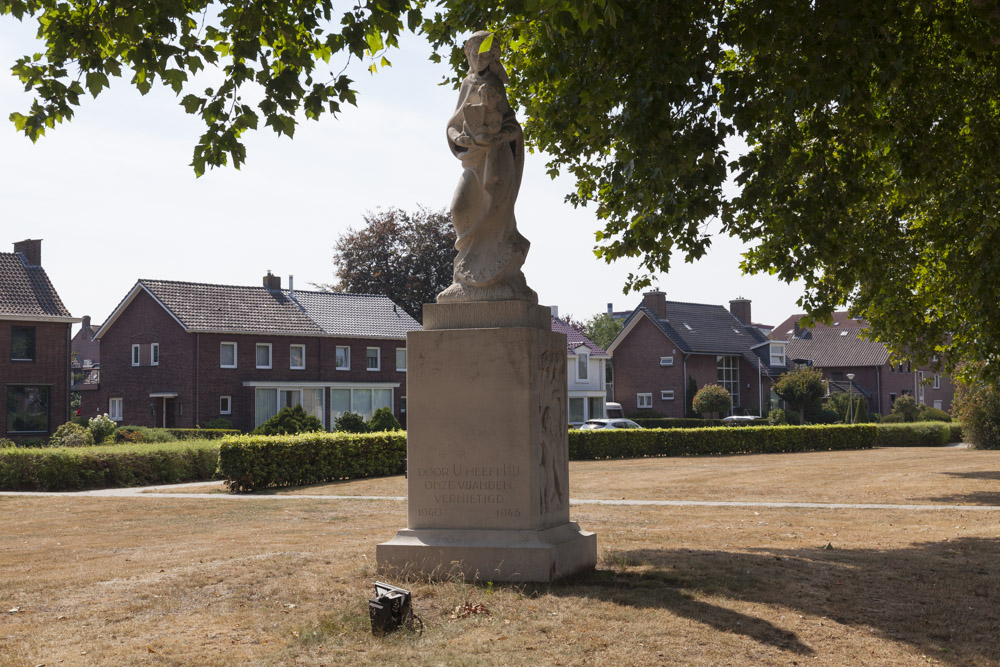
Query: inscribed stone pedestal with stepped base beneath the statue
[487, 449]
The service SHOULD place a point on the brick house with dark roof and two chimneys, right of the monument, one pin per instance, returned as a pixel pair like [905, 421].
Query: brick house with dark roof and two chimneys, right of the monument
[664, 343]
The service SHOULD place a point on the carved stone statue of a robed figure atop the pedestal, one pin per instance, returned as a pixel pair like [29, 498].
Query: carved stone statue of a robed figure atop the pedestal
[484, 134]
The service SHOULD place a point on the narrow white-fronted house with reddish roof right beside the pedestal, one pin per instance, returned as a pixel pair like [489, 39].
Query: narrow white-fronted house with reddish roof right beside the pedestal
[586, 373]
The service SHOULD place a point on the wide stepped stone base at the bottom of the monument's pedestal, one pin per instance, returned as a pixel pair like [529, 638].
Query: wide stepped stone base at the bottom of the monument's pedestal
[490, 555]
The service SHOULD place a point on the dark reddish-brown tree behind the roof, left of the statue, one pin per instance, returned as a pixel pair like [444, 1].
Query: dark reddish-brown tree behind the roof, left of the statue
[407, 257]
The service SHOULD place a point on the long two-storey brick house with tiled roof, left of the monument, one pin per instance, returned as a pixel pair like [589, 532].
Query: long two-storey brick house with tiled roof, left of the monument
[179, 354]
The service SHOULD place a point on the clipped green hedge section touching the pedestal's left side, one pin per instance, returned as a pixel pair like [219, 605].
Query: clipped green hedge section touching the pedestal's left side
[252, 462]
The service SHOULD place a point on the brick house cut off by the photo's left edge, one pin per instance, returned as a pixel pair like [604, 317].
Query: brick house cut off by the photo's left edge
[34, 337]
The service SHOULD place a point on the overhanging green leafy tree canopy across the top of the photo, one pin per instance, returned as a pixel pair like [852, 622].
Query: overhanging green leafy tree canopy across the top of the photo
[871, 128]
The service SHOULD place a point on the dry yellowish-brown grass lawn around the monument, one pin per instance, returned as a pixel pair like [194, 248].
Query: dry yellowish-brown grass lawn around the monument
[177, 581]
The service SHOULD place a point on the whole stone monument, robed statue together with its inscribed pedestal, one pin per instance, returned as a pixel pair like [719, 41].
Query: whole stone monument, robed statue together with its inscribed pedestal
[487, 445]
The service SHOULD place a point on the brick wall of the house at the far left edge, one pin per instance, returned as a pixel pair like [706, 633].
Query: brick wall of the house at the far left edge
[50, 368]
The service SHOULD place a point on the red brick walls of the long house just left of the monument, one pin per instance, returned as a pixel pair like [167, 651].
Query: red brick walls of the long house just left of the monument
[199, 393]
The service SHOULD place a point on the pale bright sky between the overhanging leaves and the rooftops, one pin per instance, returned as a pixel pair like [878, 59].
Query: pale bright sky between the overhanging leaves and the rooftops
[113, 197]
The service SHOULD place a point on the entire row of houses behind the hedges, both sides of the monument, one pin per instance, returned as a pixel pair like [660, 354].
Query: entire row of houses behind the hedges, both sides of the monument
[183, 354]
